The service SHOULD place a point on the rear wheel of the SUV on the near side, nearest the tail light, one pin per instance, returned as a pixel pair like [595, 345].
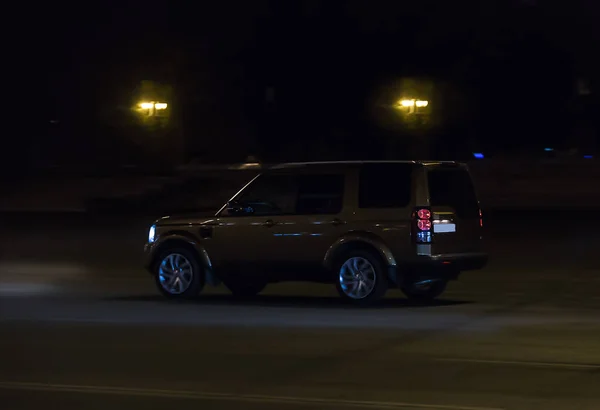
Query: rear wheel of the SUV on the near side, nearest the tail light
[371, 283]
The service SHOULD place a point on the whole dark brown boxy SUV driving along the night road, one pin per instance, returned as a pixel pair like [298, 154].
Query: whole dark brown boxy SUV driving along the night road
[364, 226]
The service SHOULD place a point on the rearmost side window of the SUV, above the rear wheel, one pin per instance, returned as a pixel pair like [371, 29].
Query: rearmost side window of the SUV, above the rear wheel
[385, 185]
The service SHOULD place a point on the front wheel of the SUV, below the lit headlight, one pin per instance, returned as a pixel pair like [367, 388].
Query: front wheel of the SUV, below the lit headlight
[185, 267]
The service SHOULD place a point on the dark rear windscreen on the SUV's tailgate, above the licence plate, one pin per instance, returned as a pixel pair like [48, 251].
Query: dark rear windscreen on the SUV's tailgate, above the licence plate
[453, 187]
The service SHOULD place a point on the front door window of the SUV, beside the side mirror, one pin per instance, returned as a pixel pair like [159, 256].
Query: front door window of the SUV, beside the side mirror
[271, 195]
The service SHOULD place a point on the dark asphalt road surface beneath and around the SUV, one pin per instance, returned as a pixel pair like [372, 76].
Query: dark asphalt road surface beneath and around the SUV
[81, 326]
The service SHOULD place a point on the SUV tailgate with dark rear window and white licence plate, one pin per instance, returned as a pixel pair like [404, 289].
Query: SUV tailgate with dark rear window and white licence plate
[455, 210]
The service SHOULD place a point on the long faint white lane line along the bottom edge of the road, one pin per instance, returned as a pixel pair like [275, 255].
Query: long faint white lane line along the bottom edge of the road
[186, 394]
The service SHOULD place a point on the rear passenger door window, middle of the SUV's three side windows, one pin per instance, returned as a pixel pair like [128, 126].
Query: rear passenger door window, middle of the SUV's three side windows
[320, 194]
